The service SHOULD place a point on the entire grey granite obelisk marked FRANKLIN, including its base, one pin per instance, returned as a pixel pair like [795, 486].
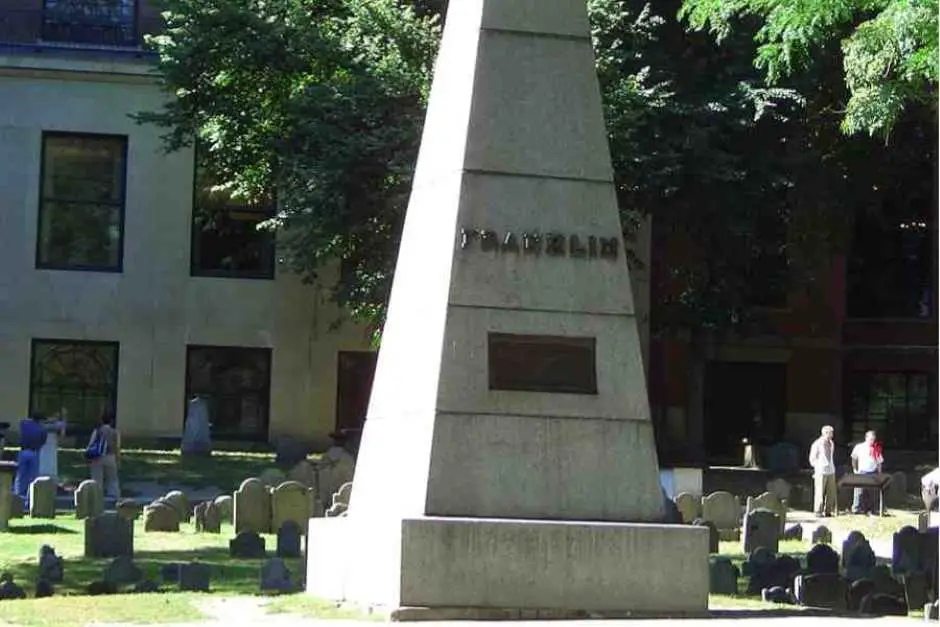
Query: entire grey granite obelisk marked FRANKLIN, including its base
[508, 458]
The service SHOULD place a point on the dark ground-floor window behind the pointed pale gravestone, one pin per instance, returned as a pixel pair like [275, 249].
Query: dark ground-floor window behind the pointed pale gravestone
[236, 384]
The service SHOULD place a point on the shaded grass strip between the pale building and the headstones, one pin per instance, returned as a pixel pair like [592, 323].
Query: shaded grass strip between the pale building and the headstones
[225, 470]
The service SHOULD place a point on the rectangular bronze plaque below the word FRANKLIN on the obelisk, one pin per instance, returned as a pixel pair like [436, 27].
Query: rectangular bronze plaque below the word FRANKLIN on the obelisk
[542, 363]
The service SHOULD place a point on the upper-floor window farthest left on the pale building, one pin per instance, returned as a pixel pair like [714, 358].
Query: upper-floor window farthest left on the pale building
[80, 218]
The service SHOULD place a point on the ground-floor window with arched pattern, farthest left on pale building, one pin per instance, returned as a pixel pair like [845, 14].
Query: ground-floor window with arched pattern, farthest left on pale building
[80, 377]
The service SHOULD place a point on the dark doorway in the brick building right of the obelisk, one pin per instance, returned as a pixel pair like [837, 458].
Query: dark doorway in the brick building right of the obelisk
[742, 400]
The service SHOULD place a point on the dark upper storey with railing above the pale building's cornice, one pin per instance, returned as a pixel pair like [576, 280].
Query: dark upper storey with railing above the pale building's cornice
[78, 23]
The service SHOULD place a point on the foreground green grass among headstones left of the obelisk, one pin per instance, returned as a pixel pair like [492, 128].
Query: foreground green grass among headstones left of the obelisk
[20, 549]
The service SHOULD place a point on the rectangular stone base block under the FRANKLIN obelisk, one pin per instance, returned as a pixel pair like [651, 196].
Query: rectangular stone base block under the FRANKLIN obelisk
[510, 566]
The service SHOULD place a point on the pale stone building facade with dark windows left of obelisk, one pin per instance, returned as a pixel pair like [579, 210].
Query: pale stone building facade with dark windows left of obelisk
[115, 294]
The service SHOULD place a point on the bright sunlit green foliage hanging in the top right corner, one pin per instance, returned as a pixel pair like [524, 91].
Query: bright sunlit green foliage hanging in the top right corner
[889, 48]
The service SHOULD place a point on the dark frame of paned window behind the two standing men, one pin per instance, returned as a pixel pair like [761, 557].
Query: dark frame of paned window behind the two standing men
[849, 422]
